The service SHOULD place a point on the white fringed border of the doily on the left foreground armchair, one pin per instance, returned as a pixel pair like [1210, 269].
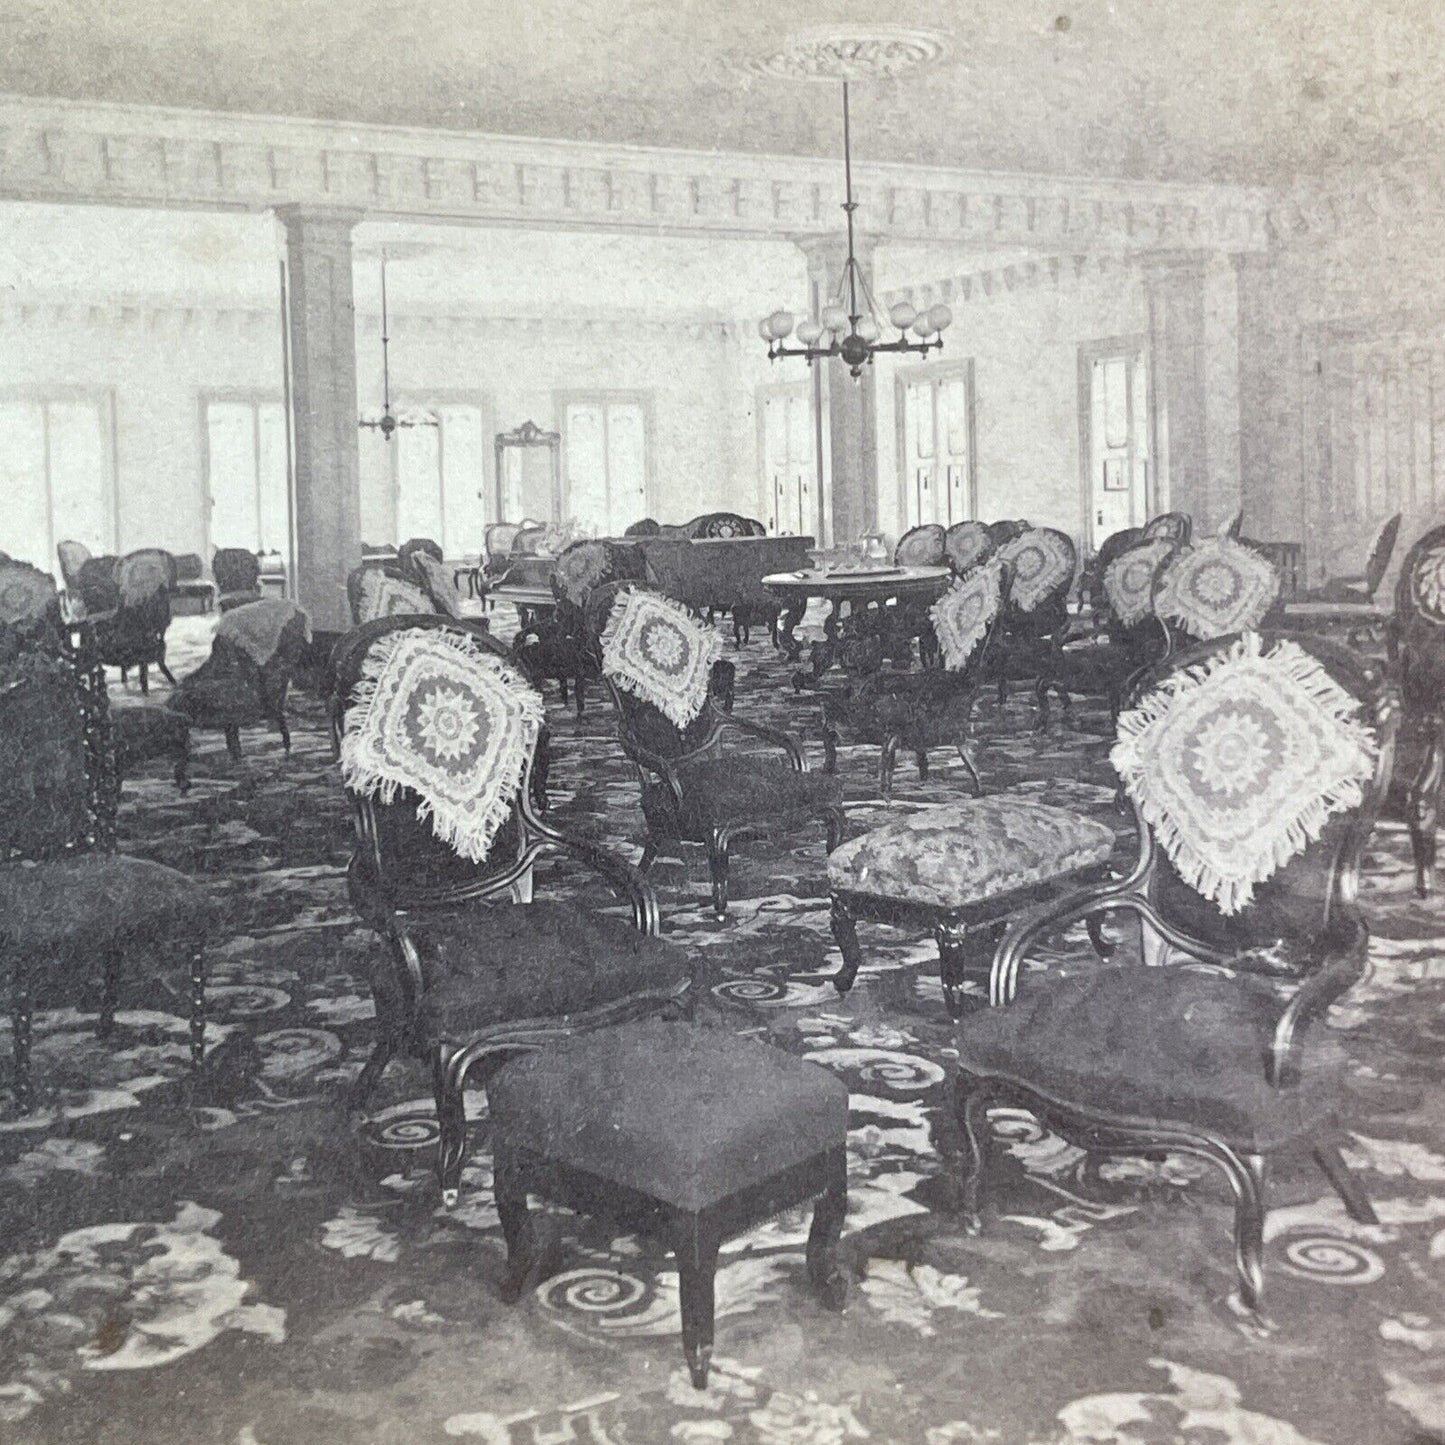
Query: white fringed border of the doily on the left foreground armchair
[467, 833]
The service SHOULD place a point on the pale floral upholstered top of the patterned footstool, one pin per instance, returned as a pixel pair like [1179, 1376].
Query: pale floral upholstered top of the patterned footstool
[970, 852]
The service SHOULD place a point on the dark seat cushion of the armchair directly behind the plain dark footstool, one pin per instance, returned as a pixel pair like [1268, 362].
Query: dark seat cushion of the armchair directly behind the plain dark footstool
[532, 960]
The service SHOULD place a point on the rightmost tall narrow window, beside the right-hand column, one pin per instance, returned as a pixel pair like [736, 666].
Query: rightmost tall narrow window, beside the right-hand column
[1115, 426]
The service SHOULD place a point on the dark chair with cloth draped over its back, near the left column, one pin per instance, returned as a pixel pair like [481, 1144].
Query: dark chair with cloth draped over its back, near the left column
[248, 677]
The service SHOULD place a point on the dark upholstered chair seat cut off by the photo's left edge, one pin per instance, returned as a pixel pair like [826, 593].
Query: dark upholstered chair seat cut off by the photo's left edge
[93, 900]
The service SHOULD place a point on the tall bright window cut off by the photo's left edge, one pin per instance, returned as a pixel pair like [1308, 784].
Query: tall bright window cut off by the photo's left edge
[57, 469]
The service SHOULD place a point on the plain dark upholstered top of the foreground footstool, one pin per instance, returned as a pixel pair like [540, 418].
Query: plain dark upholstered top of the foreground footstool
[678, 1113]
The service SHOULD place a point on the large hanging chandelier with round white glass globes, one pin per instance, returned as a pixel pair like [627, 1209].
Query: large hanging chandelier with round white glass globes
[850, 326]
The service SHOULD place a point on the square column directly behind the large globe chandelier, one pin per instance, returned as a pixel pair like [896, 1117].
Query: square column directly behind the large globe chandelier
[846, 408]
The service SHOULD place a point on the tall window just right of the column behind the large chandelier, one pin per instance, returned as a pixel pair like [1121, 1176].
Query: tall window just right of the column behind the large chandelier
[937, 423]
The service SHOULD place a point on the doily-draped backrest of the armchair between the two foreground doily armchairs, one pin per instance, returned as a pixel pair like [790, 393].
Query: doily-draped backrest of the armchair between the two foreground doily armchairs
[657, 658]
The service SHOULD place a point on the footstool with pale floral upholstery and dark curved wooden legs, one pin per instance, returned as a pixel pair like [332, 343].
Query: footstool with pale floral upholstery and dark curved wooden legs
[960, 871]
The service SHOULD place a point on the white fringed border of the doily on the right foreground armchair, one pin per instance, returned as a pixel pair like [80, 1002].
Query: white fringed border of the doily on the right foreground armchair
[1233, 894]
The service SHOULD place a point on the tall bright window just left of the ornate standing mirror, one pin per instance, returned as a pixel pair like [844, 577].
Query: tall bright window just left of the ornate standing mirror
[439, 476]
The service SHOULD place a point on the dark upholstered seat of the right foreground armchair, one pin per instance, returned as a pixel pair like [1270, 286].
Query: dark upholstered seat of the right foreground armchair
[1165, 1043]
